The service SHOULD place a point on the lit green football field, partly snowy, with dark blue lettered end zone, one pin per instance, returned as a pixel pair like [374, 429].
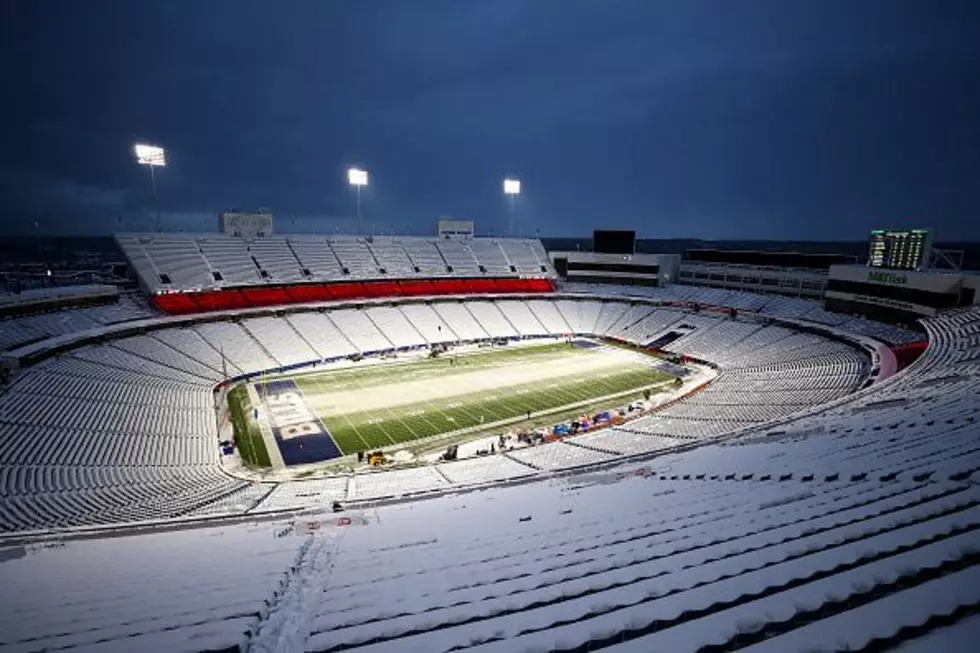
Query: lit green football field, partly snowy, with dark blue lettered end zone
[372, 406]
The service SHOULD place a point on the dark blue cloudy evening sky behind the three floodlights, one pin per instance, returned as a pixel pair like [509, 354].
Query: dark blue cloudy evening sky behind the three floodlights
[709, 119]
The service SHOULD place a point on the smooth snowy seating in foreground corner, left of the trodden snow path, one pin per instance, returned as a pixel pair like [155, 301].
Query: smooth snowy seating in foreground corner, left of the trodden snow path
[145, 592]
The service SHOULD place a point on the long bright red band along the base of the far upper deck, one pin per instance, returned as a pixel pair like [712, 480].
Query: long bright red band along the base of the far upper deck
[237, 298]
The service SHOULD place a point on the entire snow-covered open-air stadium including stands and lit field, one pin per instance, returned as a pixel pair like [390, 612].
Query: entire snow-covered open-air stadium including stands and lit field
[442, 444]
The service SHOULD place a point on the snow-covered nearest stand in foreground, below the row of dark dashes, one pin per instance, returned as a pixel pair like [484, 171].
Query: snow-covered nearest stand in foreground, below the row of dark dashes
[641, 563]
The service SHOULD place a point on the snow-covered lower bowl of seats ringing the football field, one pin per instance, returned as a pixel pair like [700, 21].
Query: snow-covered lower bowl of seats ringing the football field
[155, 388]
